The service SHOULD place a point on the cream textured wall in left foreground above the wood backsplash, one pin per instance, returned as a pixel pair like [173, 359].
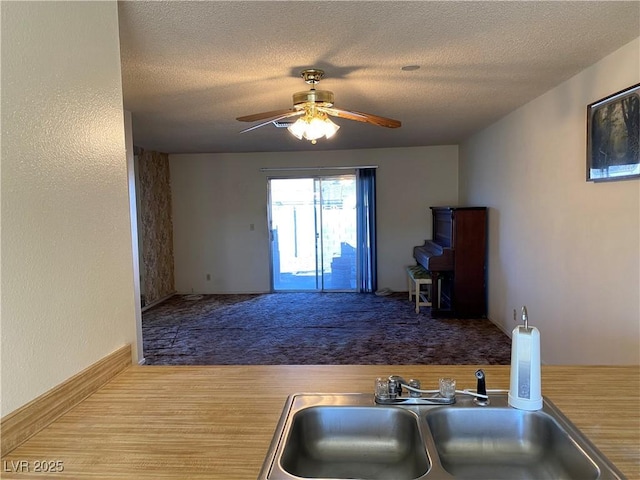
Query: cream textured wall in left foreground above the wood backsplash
[67, 283]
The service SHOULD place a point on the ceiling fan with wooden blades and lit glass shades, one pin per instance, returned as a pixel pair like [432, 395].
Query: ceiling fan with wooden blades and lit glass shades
[313, 107]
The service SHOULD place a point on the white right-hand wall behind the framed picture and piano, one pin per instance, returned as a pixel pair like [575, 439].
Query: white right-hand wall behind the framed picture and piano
[567, 248]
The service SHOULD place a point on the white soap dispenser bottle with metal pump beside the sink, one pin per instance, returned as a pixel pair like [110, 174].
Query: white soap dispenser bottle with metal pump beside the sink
[525, 390]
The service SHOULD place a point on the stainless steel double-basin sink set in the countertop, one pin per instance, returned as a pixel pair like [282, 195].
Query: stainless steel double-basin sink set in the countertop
[348, 436]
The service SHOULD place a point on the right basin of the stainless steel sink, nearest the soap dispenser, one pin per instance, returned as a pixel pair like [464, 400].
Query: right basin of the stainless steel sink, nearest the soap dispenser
[505, 443]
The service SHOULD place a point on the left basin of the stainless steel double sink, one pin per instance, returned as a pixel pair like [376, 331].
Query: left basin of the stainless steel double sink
[355, 442]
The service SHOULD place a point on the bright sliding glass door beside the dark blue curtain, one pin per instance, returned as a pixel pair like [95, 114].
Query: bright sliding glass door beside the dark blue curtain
[313, 233]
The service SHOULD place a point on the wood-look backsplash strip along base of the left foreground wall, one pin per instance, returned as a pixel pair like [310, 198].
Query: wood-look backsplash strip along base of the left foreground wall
[29, 419]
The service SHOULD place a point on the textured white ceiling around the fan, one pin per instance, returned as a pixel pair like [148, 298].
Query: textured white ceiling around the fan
[190, 68]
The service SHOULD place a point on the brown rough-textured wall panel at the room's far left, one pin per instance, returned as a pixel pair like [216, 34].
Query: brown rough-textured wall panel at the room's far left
[156, 227]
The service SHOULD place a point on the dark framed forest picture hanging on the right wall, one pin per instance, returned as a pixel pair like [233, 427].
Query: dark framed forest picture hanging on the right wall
[613, 136]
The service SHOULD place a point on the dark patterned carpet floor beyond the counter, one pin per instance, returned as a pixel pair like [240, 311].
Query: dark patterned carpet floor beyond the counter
[313, 328]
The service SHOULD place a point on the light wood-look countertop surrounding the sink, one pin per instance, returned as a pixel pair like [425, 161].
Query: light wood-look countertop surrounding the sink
[216, 422]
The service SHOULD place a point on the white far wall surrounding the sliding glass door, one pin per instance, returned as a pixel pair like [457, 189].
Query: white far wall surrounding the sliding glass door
[217, 196]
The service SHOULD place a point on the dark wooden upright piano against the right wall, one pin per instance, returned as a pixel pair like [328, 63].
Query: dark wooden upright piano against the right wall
[456, 257]
